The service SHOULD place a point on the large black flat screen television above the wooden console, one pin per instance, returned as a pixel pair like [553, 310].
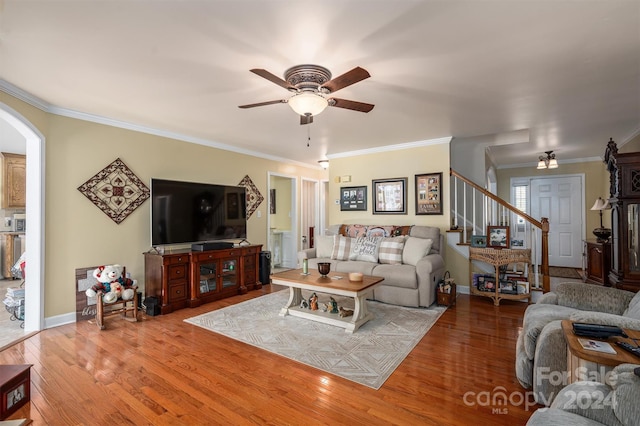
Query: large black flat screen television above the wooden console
[190, 212]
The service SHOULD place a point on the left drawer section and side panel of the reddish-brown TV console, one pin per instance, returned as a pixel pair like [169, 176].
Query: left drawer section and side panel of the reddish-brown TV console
[166, 276]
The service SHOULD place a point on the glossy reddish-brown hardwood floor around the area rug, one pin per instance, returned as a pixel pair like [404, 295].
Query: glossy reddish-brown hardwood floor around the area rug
[165, 371]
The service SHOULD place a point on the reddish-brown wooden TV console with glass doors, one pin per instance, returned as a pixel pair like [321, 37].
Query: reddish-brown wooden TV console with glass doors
[185, 278]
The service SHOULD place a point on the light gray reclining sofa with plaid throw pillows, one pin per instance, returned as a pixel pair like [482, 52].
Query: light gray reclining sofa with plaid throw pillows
[409, 258]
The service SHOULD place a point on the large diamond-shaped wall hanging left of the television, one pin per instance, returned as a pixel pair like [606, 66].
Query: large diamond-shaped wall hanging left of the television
[115, 190]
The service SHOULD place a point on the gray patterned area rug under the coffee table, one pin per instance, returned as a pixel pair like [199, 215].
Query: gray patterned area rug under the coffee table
[368, 356]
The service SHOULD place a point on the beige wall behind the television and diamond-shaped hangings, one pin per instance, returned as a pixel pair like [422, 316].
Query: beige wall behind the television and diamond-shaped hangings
[79, 235]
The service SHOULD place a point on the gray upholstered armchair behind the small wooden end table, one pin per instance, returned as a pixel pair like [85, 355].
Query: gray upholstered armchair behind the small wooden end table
[541, 350]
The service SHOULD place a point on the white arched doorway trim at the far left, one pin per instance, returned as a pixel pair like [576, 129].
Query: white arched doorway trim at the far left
[35, 259]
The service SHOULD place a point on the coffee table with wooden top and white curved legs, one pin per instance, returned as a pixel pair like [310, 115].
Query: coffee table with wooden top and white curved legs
[336, 283]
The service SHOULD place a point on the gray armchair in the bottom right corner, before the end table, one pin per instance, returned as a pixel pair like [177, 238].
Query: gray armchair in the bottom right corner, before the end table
[593, 403]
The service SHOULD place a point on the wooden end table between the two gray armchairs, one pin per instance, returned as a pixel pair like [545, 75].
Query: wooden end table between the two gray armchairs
[585, 364]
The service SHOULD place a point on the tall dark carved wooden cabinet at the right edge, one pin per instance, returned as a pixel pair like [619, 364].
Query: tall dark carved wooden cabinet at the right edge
[624, 189]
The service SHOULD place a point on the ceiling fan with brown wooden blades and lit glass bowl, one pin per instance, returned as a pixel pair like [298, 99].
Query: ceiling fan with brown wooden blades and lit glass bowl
[311, 85]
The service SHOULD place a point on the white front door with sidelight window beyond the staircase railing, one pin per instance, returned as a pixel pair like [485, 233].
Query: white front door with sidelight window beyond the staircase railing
[561, 200]
